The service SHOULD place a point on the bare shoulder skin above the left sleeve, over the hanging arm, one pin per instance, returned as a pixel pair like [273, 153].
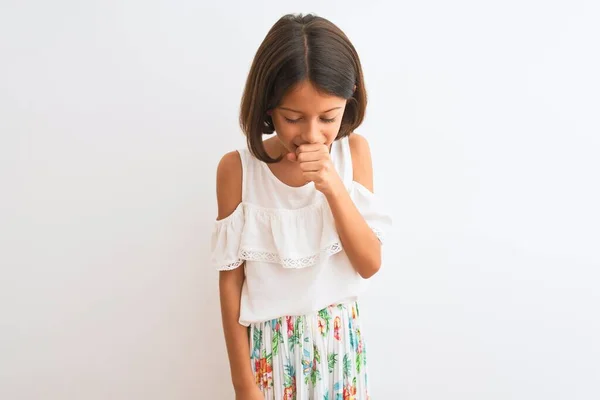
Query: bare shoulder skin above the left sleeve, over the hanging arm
[229, 184]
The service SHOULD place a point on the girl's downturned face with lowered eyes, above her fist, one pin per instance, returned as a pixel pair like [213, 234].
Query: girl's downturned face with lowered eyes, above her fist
[307, 116]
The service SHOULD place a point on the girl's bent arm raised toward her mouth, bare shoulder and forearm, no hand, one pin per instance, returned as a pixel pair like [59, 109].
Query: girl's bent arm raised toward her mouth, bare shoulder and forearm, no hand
[359, 241]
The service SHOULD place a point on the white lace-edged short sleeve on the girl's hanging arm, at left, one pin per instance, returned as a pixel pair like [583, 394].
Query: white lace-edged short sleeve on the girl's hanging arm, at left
[226, 240]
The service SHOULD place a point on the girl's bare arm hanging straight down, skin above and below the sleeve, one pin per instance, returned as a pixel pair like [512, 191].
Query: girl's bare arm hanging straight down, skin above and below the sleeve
[229, 196]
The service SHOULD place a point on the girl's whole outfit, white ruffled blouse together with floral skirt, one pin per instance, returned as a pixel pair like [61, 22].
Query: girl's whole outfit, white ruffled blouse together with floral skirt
[298, 276]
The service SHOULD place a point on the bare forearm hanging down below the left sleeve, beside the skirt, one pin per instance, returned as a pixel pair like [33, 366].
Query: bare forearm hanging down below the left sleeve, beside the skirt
[236, 335]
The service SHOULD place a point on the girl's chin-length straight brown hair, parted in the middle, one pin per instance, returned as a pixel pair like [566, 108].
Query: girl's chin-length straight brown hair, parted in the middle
[296, 48]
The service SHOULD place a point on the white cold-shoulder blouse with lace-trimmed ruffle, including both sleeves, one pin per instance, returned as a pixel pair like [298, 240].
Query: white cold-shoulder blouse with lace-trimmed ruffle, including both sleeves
[295, 263]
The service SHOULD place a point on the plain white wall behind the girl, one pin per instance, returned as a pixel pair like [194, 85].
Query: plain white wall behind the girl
[483, 124]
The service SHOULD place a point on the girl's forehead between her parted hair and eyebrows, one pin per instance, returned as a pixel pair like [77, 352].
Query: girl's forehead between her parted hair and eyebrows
[305, 97]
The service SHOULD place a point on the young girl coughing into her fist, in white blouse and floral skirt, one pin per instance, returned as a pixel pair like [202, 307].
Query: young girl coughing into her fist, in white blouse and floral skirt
[299, 230]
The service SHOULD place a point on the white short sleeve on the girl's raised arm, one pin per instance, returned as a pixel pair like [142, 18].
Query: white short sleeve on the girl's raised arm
[372, 209]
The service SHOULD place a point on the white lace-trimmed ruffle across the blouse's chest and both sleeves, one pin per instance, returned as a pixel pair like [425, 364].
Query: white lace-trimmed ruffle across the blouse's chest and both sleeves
[292, 238]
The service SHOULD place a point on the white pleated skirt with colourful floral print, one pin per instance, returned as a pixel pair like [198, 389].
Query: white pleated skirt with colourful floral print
[319, 356]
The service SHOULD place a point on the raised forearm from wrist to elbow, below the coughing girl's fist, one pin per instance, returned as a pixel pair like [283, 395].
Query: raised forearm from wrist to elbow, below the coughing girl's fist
[358, 239]
